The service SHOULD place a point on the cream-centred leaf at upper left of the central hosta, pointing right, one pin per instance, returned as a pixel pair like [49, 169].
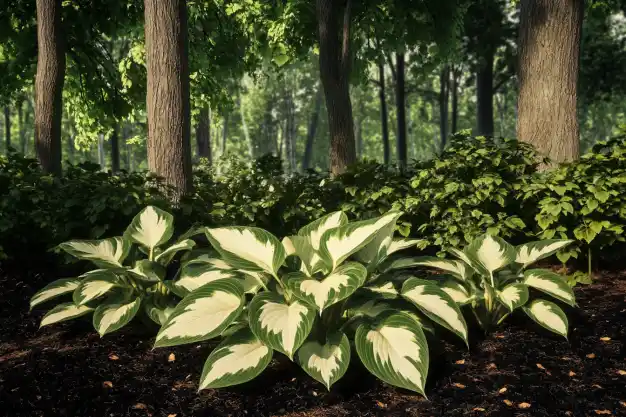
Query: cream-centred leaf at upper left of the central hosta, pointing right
[248, 248]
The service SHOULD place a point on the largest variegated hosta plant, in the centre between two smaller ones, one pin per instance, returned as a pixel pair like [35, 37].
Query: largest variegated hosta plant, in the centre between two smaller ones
[317, 295]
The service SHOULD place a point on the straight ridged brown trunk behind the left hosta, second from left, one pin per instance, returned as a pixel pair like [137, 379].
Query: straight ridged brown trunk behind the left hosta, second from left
[169, 147]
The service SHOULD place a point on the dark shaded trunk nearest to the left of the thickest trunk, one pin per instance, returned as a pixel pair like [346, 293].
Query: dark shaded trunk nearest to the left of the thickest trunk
[484, 96]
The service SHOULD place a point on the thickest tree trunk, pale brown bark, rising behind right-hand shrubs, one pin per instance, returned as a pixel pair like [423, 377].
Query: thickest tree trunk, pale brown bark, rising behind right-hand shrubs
[549, 51]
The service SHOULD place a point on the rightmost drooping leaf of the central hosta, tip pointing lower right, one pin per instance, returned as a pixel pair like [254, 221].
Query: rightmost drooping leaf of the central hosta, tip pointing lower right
[436, 304]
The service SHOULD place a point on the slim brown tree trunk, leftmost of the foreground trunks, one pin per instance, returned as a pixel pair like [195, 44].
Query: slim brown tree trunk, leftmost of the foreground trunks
[49, 85]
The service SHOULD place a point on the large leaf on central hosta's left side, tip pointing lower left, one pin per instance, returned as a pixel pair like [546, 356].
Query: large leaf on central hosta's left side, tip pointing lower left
[203, 314]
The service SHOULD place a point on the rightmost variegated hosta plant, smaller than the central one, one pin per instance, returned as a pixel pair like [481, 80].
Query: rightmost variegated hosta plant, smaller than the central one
[492, 277]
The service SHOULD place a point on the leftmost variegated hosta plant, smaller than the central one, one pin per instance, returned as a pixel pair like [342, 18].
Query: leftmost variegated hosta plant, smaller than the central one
[131, 275]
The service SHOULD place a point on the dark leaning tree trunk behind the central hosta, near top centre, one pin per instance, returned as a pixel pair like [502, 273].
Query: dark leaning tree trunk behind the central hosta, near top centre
[335, 67]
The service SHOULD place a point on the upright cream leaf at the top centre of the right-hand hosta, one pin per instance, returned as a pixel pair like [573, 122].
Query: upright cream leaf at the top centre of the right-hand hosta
[489, 253]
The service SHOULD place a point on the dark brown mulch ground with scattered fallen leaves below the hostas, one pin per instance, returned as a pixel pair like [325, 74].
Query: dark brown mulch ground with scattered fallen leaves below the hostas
[67, 370]
